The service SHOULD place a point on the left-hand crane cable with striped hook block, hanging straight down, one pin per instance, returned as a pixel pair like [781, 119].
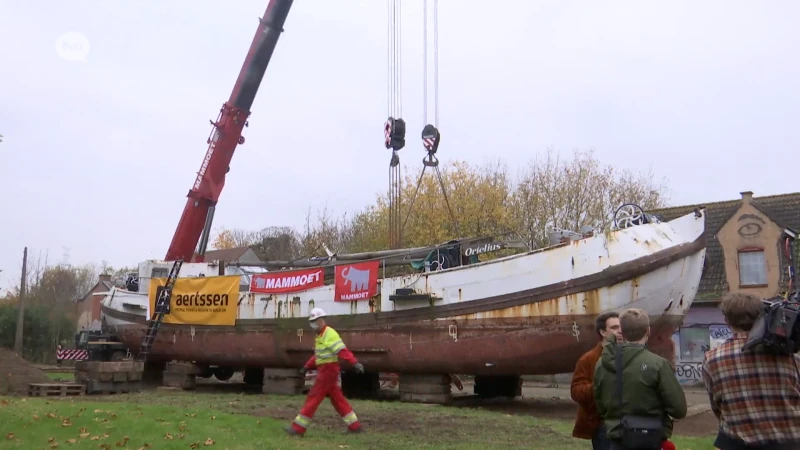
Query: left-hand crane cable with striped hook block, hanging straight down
[394, 129]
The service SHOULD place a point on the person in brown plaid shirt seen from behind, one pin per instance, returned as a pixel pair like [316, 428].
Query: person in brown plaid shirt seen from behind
[755, 396]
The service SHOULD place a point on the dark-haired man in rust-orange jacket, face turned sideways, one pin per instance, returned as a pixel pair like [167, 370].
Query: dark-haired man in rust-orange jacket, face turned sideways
[588, 424]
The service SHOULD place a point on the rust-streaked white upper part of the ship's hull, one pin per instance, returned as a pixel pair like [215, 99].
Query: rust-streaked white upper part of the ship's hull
[669, 290]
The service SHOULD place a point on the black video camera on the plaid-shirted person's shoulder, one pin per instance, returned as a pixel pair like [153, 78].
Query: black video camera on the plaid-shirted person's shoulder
[777, 329]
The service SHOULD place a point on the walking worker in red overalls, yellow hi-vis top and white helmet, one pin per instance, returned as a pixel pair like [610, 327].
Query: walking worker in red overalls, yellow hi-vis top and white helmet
[328, 347]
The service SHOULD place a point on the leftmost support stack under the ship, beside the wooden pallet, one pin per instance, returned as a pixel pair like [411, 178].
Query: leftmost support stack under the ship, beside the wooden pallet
[101, 377]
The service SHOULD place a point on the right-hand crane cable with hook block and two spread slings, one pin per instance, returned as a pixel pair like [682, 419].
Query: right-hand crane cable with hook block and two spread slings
[431, 137]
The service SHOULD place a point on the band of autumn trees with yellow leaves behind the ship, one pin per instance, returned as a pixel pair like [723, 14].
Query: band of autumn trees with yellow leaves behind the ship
[551, 192]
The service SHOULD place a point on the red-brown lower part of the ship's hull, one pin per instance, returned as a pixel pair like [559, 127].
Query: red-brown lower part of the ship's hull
[477, 347]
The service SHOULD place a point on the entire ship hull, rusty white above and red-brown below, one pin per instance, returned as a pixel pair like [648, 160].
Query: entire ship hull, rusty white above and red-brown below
[527, 314]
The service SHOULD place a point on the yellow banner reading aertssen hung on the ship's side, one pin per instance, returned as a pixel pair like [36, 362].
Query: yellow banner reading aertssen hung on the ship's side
[200, 300]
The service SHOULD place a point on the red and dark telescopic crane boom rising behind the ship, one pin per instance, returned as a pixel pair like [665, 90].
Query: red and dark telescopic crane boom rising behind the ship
[198, 214]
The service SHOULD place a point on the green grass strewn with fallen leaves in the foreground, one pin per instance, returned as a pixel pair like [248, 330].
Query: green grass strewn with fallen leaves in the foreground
[179, 420]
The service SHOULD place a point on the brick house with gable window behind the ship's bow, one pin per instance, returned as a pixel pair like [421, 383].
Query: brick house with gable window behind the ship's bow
[745, 252]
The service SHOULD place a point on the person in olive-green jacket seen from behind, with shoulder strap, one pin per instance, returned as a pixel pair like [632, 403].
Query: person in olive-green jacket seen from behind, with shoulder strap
[649, 386]
